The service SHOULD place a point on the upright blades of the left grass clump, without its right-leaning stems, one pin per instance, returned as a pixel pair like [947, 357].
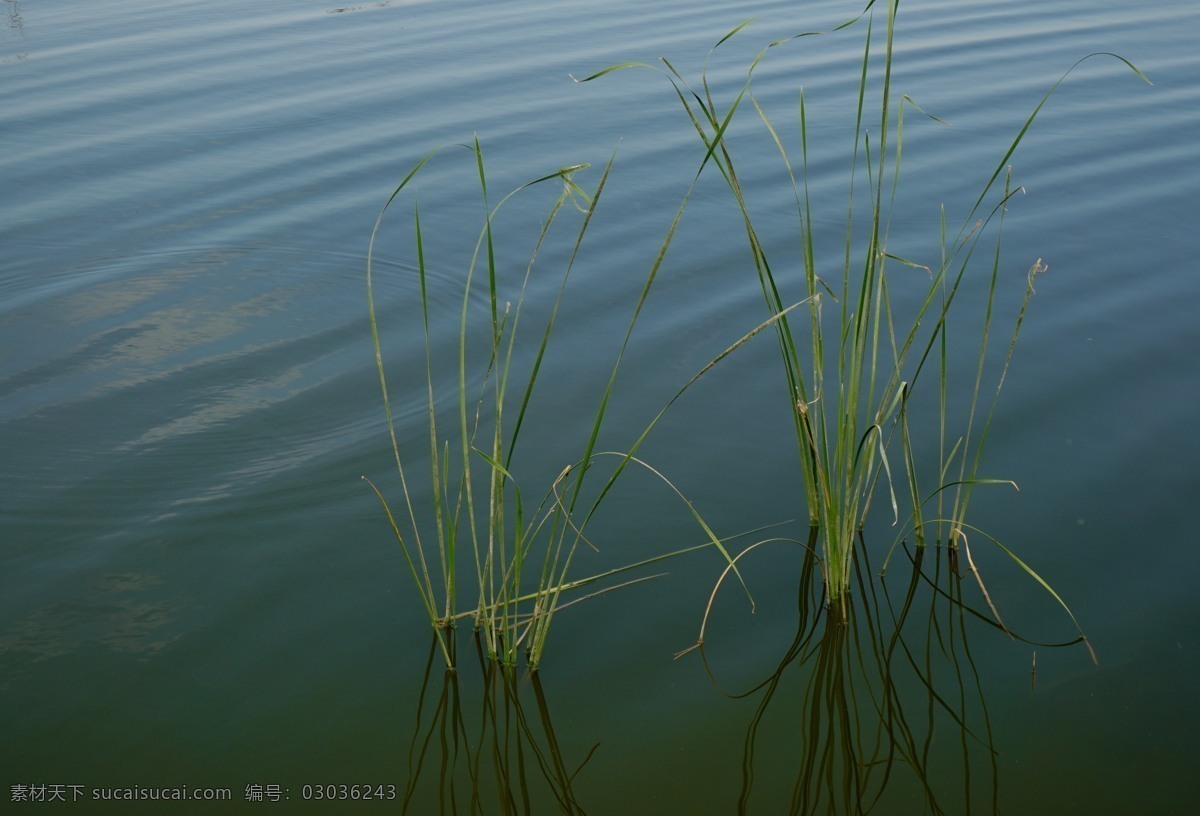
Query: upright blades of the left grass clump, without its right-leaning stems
[475, 501]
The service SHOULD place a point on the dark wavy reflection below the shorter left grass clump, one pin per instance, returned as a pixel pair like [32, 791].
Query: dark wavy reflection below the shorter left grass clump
[500, 758]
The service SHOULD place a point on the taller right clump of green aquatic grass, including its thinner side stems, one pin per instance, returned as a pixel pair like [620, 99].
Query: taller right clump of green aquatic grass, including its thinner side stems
[850, 385]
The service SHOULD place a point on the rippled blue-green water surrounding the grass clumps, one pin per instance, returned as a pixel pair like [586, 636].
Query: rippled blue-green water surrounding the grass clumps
[197, 587]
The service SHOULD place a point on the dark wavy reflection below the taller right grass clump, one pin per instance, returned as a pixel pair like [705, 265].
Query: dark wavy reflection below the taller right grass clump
[880, 712]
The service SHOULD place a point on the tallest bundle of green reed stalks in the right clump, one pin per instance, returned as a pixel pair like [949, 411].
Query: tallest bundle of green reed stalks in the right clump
[839, 460]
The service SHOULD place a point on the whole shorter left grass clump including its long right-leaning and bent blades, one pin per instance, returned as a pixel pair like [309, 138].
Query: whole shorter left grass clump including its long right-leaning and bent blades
[521, 555]
